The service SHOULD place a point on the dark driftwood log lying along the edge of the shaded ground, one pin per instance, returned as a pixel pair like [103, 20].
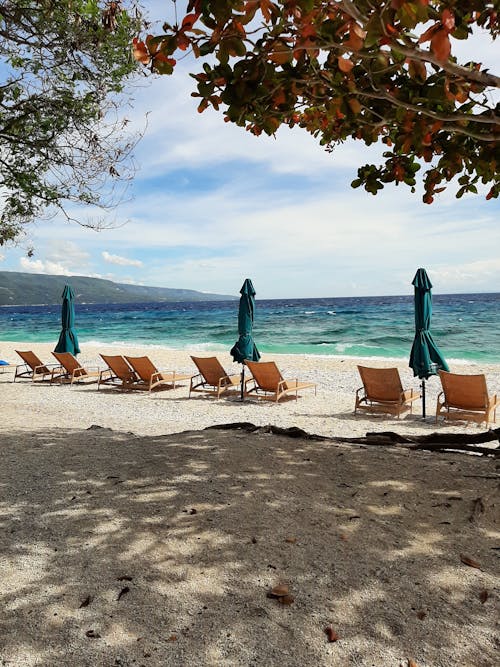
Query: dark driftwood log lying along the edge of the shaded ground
[464, 442]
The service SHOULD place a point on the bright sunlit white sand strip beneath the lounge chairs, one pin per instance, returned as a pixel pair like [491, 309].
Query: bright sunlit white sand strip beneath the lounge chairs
[330, 412]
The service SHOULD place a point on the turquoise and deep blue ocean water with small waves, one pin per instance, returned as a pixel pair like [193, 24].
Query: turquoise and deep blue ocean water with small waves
[466, 327]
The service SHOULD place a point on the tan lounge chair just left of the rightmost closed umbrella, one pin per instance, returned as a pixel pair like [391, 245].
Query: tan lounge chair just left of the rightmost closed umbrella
[382, 391]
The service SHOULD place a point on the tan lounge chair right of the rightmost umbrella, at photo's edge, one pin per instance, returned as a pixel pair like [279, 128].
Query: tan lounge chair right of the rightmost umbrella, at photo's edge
[465, 398]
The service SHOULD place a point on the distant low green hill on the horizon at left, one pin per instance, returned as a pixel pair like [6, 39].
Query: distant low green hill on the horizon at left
[31, 289]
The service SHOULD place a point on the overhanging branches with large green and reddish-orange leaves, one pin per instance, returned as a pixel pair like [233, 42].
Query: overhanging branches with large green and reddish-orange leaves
[351, 68]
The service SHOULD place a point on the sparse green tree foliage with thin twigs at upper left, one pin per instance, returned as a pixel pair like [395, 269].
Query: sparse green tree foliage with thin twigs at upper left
[63, 65]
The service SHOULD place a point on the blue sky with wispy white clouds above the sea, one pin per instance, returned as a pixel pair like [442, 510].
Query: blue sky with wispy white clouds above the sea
[211, 205]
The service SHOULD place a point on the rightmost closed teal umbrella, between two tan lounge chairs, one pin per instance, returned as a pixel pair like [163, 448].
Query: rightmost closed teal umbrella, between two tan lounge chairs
[425, 356]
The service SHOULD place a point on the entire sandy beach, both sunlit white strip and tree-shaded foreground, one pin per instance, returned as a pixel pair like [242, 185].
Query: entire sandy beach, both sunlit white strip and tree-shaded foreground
[132, 536]
